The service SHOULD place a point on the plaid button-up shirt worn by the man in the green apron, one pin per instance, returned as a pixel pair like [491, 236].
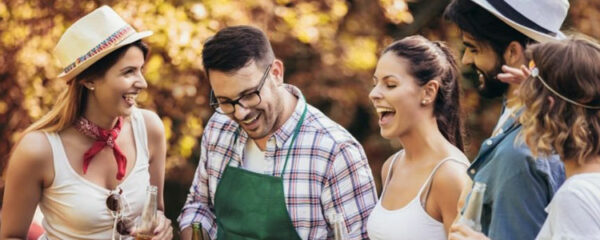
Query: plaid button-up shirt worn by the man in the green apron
[327, 172]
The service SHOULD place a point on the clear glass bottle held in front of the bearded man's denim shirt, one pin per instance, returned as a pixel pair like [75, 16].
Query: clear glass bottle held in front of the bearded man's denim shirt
[472, 214]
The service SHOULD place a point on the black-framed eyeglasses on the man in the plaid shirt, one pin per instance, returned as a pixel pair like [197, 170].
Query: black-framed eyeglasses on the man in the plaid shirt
[247, 100]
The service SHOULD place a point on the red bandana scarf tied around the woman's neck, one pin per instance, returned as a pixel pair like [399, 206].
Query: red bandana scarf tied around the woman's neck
[103, 138]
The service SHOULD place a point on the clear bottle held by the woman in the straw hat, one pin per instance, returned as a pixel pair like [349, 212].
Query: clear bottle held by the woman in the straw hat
[145, 227]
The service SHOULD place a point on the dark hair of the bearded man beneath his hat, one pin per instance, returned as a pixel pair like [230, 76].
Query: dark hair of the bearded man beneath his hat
[483, 25]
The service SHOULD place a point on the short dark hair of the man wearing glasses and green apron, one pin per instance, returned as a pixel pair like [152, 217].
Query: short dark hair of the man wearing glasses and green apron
[233, 48]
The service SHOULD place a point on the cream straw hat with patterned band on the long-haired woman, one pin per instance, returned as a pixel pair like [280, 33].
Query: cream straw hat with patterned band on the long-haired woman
[92, 37]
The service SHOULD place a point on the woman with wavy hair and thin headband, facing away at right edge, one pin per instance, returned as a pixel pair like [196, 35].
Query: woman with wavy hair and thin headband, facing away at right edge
[561, 116]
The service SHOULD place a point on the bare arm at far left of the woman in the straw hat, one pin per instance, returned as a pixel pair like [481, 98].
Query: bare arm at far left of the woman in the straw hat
[29, 170]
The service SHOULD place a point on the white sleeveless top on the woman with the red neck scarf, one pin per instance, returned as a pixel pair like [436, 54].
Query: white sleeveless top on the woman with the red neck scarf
[75, 208]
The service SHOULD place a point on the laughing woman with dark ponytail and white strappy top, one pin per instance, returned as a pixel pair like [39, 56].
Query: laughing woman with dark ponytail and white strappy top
[415, 92]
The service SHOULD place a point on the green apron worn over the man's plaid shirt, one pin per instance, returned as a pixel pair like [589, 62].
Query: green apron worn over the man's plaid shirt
[250, 205]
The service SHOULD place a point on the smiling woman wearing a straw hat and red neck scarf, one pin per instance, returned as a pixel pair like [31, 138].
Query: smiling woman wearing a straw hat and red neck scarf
[94, 145]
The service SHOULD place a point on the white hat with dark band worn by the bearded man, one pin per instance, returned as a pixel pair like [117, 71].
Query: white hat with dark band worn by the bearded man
[540, 20]
